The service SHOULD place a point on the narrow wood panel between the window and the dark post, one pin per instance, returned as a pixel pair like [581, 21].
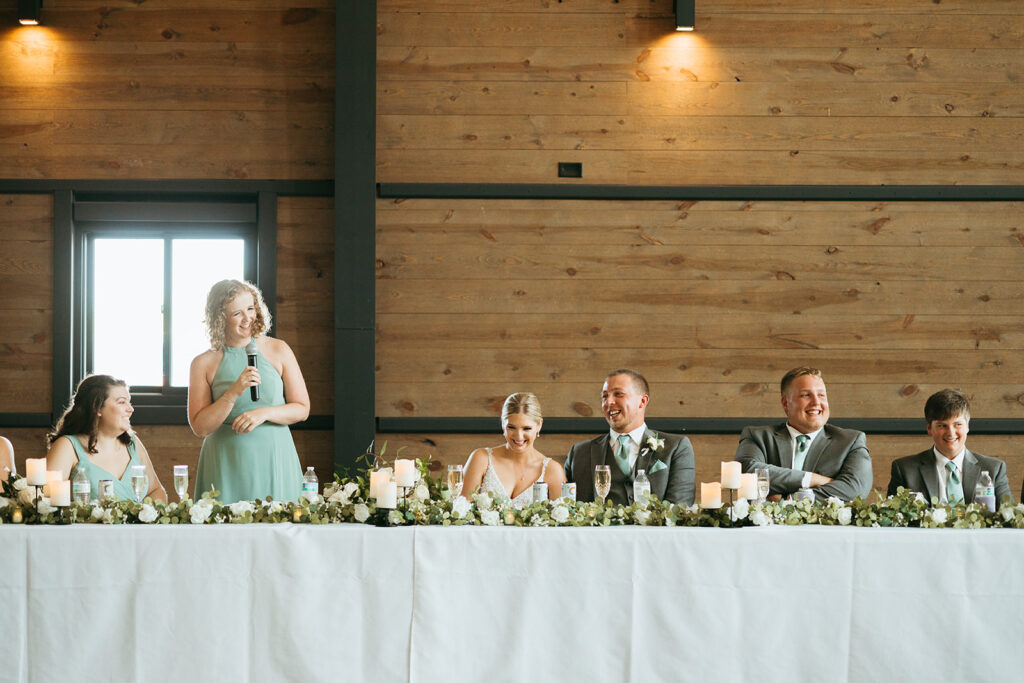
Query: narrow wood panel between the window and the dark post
[306, 292]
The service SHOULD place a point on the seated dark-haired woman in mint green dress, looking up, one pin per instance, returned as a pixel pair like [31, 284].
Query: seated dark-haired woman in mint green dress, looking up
[95, 434]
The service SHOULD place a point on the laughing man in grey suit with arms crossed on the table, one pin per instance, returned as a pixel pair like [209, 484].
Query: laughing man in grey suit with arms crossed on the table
[805, 452]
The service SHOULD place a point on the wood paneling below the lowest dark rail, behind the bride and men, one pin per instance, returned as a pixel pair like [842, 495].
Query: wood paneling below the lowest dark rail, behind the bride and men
[709, 450]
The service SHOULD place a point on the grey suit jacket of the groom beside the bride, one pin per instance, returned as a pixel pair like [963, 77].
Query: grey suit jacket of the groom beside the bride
[674, 483]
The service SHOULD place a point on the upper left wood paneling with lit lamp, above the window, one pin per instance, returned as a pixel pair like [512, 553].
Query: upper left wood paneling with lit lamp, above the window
[154, 91]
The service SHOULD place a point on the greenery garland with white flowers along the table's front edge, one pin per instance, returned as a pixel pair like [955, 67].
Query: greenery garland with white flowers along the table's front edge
[347, 501]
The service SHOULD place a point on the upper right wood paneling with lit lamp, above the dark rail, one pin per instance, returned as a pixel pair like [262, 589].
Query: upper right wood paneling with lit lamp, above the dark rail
[762, 94]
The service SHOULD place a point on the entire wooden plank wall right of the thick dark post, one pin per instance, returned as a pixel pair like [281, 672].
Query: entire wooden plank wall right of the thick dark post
[713, 301]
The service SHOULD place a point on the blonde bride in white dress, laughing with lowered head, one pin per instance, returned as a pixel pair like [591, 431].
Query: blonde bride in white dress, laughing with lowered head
[508, 473]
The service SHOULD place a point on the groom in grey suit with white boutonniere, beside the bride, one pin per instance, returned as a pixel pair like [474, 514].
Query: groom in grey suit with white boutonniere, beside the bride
[630, 447]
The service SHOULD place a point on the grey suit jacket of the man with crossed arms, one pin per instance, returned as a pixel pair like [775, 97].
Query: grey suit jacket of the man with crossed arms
[837, 453]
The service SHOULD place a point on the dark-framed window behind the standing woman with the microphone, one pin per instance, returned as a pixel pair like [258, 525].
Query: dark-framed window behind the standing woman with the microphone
[142, 271]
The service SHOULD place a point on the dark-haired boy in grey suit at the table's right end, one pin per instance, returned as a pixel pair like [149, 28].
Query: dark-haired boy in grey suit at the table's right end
[948, 471]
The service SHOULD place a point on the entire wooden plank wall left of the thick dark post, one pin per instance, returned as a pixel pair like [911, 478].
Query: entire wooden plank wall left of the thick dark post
[192, 90]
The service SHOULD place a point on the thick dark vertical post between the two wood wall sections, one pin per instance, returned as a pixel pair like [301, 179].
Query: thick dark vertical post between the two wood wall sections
[355, 227]
